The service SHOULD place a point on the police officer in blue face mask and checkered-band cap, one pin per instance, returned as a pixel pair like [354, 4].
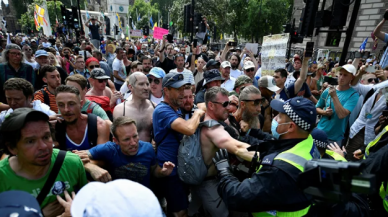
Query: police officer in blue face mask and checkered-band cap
[273, 188]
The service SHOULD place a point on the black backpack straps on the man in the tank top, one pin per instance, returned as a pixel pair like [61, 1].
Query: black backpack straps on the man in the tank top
[60, 132]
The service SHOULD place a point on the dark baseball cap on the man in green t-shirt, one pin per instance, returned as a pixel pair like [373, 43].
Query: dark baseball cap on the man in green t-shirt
[17, 119]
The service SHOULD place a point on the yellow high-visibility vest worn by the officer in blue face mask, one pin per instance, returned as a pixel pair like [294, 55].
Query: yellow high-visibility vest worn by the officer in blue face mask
[297, 156]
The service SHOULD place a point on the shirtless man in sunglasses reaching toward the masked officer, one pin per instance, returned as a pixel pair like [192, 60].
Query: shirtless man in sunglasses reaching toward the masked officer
[212, 139]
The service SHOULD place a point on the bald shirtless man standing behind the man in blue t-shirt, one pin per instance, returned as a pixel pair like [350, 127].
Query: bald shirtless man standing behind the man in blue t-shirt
[140, 108]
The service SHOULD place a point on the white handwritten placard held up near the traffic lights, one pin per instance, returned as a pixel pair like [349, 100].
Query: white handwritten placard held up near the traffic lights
[273, 53]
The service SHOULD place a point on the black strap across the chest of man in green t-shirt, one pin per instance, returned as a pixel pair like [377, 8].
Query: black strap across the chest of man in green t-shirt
[52, 176]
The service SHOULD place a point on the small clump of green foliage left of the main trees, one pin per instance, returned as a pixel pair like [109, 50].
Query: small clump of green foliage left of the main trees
[145, 10]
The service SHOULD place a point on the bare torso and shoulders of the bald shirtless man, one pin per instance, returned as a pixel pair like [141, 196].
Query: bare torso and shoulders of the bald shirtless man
[141, 114]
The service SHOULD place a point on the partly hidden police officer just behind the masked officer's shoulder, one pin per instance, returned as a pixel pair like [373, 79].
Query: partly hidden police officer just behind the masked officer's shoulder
[321, 141]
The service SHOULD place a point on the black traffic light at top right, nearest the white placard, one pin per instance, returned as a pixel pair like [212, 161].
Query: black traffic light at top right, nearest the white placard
[308, 17]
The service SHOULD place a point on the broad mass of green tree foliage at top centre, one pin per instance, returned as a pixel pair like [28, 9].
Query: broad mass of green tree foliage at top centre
[242, 18]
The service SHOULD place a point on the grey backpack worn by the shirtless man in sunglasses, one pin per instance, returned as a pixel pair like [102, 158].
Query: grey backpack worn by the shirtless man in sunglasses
[192, 169]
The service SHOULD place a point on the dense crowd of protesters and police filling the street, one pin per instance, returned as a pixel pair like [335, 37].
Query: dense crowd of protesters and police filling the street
[75, 115]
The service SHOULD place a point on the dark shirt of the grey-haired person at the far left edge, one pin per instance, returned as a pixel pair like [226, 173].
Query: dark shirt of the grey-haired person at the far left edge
[7, 71]
